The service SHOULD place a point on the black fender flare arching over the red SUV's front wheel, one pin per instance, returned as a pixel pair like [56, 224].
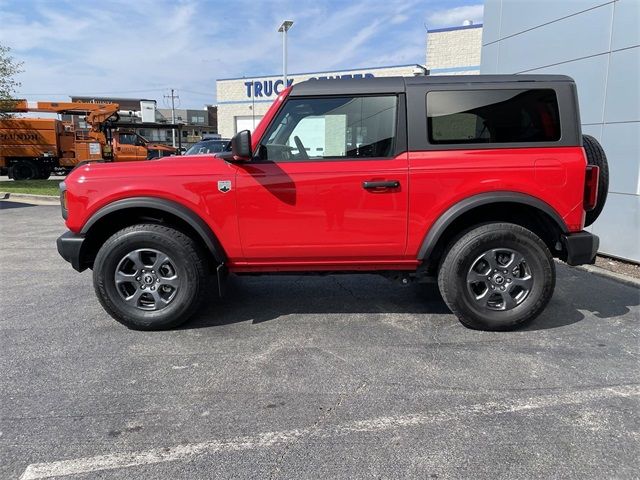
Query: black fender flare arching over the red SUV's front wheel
[184, 213]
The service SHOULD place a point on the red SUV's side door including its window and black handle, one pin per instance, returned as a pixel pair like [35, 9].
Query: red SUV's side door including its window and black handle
[328, 181]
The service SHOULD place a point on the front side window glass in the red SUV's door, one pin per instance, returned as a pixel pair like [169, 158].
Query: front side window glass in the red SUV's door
[332, 128]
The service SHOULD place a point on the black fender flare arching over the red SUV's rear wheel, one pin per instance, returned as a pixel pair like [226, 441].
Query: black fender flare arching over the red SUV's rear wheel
[447, 218]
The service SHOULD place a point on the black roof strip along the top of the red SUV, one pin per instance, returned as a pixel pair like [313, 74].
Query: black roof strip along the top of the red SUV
[351, 86]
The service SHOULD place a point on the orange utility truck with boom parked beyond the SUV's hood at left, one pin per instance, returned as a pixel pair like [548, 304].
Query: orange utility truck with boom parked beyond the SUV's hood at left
[32, 148]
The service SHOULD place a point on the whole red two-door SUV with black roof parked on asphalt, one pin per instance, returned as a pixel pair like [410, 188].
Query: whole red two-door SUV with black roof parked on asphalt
[476, 181]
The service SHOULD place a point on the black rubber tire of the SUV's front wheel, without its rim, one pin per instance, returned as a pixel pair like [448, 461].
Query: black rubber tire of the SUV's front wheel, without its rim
[191, 271]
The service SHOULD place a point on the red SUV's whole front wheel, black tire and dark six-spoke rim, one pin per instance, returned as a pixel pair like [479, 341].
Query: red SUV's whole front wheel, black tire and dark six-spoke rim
[150, 277]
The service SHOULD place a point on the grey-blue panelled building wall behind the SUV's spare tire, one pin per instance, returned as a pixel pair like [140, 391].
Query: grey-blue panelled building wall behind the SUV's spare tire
[597, 42]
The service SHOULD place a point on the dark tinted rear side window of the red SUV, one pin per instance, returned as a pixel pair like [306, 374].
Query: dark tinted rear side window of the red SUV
[492, 116]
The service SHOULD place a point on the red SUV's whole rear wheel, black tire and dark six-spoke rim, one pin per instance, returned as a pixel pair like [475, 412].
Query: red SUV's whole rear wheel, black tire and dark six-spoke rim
[498, 276]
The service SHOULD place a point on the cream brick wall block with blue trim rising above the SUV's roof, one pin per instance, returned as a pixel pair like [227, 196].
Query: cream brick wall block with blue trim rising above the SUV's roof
[454, 50]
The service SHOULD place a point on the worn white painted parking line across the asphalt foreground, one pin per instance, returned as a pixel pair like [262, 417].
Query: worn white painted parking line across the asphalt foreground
[271, 439]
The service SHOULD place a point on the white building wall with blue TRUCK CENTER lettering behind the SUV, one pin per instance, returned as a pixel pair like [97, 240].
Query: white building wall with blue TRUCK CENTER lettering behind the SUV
[240, 103]
